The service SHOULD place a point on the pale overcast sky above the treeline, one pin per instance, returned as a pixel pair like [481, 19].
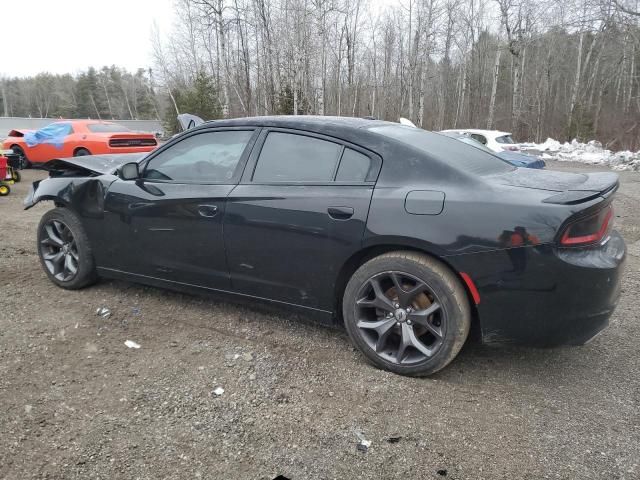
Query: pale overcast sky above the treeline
[68, 36]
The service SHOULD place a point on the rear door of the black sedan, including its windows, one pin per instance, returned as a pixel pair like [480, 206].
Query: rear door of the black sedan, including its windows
[298, 214]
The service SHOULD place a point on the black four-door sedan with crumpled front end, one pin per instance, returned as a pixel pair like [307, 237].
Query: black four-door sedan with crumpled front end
[406, 237]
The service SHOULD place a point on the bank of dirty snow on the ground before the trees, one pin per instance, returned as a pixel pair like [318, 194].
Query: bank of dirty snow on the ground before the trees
[591, 152]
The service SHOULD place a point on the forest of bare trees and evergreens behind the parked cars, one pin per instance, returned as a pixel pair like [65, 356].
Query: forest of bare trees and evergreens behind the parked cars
[538, 68]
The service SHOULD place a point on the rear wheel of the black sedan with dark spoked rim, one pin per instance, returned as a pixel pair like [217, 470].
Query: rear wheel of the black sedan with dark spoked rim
[416, 330]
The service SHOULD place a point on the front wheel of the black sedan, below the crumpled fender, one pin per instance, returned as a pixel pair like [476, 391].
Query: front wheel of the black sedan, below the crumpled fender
[60, 236]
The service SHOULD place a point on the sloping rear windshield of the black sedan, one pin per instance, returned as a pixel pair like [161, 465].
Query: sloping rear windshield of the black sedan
[448, 150]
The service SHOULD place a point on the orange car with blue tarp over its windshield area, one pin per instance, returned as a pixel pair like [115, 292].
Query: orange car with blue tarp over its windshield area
[73, 138]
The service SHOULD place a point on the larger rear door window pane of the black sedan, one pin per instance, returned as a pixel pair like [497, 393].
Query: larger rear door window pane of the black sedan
[287, 157]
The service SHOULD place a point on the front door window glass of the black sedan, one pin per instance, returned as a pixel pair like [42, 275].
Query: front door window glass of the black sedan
[210, 157]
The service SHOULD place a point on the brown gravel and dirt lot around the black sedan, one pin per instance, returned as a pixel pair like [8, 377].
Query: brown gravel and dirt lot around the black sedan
[75, 402]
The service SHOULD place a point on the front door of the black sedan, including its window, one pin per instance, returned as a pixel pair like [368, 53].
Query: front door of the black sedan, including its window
[172, 216]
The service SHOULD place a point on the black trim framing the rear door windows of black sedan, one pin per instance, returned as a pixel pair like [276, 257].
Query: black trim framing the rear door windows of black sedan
[372, 176]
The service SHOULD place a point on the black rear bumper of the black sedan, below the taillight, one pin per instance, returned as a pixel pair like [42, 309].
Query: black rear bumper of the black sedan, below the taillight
[545, 295]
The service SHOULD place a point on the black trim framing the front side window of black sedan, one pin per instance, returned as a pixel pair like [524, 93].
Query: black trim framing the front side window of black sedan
[237, 173]
